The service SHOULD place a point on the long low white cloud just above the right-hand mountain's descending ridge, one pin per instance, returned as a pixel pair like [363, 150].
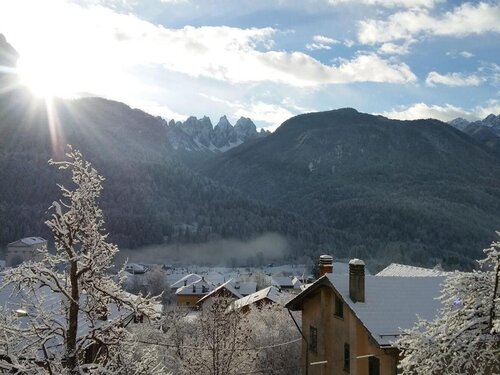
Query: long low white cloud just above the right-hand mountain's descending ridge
[445, 113]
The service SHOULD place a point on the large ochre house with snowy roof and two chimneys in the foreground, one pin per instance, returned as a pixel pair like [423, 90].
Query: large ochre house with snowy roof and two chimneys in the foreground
[351, 322]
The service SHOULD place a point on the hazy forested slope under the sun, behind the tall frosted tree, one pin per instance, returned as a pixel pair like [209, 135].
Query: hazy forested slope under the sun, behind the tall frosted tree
[148, 196]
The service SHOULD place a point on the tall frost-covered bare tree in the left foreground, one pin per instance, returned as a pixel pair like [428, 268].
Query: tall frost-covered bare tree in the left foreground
[74, 313]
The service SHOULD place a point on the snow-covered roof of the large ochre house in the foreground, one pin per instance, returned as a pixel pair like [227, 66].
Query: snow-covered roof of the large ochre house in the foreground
[392, 303]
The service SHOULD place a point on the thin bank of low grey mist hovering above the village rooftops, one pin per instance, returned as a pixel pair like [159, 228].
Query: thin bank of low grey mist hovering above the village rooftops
[261, 250]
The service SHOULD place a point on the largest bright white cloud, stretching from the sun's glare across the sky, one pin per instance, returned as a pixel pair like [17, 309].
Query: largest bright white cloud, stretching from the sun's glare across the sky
[100, 46]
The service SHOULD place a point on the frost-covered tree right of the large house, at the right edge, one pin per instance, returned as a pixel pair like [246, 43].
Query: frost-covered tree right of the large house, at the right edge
[465, 336]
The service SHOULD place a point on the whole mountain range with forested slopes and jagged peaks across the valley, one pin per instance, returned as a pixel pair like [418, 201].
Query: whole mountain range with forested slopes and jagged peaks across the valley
[340, 182]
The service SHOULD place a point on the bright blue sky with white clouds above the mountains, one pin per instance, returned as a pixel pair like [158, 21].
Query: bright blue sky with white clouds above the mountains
[264, 59]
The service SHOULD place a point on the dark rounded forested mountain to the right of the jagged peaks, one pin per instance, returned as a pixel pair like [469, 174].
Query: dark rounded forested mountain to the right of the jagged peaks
[415, 191]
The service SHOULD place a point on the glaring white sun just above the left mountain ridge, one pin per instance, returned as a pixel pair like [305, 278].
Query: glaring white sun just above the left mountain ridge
[45, 79]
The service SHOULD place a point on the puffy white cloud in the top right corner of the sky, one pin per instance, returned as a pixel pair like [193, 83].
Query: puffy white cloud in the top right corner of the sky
[464, 20]
